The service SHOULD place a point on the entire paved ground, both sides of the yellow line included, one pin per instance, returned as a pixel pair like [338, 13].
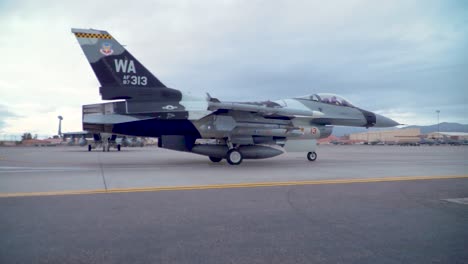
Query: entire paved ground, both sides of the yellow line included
[355, 204]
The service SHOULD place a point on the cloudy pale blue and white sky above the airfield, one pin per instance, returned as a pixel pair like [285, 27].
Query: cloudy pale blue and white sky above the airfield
[403, 59]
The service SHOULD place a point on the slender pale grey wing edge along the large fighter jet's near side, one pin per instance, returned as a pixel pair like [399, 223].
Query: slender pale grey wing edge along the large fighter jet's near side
[214, 105]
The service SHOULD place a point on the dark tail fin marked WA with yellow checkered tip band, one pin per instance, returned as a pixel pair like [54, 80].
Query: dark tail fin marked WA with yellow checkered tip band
[121, 75]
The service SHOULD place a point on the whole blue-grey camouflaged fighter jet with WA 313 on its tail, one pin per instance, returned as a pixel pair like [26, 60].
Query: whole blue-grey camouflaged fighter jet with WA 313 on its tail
[207, 126]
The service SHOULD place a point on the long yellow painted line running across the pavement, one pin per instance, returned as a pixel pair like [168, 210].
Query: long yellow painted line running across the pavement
[232, 185]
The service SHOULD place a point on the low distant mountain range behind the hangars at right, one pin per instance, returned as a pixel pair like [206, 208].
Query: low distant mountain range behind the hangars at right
[340, 131]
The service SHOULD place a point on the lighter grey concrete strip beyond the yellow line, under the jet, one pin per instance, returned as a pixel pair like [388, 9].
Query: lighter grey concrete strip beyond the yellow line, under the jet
[67, 169]
